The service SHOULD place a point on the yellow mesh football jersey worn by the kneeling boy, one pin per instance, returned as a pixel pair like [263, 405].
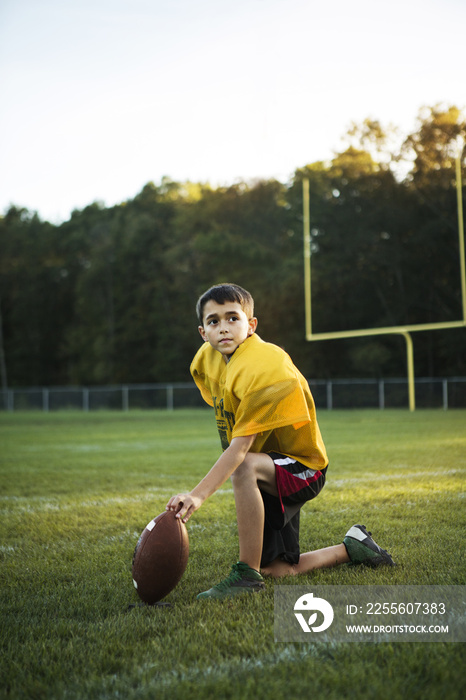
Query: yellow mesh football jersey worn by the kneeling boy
[260, 391]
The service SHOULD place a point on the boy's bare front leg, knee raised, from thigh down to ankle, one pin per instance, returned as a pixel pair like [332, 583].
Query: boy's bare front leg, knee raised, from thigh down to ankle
[256, 470]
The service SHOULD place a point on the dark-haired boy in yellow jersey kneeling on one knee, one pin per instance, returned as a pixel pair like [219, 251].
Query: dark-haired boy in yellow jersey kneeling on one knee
[273, 449]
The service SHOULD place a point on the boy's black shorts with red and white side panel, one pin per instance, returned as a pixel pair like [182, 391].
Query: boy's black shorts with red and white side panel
[296, 484]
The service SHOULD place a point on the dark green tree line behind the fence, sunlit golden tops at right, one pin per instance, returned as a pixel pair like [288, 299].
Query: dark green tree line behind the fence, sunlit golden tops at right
[108, 296]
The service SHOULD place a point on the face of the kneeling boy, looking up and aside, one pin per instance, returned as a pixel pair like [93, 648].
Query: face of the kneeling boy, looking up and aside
[226, 326]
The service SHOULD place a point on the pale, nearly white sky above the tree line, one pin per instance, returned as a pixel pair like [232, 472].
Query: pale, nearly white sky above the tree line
[99, 97]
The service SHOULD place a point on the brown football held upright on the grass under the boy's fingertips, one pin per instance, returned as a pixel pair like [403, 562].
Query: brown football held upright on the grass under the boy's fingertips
[160, 557]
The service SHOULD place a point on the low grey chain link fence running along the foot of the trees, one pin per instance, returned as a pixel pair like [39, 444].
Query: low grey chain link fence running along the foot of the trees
[330, 394]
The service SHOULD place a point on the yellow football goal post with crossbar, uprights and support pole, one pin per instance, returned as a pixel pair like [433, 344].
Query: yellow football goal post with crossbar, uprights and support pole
[404, 331]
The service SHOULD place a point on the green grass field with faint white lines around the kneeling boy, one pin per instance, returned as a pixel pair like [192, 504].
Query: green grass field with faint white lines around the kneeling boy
[76, 490]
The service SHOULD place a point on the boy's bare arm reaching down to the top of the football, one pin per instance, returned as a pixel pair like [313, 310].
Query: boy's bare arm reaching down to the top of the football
[185, 504]
